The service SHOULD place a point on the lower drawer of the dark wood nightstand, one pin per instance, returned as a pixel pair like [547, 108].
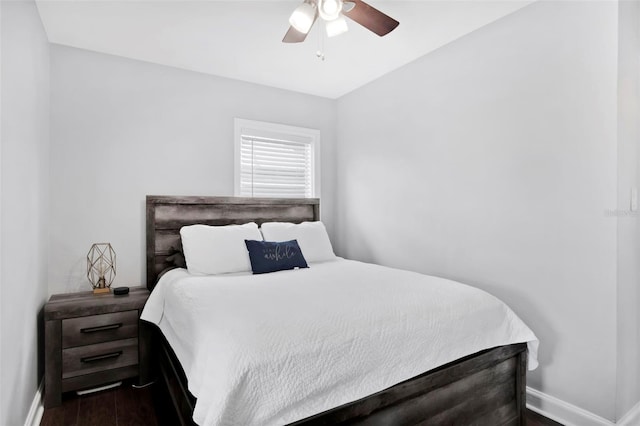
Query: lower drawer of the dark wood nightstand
[99, 357]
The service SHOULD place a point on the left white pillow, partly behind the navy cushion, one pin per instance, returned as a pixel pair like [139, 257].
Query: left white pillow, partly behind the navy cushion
[218, 249]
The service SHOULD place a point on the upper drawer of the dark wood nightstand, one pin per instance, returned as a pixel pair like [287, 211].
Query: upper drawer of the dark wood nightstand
[99, 328]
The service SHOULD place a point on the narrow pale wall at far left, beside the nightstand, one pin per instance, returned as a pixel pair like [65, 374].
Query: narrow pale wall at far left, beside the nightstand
[24, 170]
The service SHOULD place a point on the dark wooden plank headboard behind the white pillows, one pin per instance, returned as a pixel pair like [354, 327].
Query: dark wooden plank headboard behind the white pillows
[167, 214]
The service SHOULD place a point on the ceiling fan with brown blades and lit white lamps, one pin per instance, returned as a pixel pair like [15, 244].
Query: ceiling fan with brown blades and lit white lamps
[332, 12]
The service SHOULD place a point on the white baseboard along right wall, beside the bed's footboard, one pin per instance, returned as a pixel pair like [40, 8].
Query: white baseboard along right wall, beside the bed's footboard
[561, 411]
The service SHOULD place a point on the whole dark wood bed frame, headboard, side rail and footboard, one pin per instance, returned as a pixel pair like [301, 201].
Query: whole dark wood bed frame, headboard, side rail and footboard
[486, 388]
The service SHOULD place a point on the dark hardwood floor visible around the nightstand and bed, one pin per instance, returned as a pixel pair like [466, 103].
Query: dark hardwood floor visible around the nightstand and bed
[150, 406]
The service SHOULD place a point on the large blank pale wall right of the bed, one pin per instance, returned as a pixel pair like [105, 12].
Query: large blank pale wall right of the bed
[492, 161]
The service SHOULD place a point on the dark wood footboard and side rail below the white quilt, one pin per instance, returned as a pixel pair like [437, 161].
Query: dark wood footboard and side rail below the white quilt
[487, 388]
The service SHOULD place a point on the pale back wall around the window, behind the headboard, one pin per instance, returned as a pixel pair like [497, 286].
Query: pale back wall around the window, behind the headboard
[122, 129]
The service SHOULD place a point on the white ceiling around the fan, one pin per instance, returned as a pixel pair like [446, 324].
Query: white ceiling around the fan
[242, 39]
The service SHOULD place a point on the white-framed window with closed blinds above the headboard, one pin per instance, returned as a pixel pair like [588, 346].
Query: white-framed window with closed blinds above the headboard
[275, 160]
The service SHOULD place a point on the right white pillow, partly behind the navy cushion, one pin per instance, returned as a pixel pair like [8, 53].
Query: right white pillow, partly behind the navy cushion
[312, 238]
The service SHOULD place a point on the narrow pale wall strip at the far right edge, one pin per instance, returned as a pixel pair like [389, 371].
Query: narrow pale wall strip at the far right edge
[628, 389]
